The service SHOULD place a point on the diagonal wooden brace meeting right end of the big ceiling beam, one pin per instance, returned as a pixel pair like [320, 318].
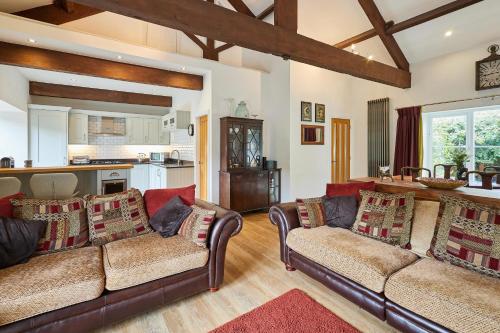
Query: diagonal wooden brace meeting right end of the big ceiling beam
[378, 22]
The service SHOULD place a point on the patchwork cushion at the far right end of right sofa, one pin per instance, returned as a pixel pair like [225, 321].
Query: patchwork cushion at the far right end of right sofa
[468, 235]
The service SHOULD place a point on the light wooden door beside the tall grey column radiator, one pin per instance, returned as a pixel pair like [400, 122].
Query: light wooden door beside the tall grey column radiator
[341, 150]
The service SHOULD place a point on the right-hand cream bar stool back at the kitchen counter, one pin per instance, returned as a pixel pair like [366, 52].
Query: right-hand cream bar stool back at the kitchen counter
[54, 186]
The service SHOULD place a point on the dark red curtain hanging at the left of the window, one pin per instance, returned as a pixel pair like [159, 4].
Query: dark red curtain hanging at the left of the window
[406, 150]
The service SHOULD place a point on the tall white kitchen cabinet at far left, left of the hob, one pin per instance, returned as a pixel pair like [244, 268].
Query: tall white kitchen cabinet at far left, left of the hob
[48, 136]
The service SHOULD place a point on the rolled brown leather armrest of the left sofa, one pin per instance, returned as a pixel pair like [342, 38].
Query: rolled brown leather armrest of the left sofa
[227, 224]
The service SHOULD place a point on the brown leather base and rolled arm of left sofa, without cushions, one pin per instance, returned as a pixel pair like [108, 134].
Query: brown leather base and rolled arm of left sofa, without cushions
[114, 306]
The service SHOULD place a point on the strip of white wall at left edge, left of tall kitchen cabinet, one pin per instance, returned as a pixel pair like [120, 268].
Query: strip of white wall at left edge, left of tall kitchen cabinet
[14, 101]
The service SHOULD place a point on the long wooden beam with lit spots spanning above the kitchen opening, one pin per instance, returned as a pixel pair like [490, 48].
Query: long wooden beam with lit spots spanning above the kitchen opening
[38, 58]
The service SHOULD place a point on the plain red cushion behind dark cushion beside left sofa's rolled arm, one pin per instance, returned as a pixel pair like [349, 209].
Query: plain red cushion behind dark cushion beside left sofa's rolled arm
[155, 199]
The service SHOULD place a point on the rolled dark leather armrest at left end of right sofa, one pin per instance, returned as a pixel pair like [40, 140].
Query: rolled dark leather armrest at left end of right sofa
[285, 216]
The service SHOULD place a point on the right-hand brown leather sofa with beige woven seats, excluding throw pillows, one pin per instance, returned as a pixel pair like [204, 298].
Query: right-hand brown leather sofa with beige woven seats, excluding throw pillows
[412, 292]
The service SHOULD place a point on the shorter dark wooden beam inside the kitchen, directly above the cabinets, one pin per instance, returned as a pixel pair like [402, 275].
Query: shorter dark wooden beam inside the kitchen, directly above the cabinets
[101, 95]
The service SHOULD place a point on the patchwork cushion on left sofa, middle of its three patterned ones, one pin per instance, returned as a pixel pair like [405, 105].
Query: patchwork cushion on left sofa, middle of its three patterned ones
[116, 216]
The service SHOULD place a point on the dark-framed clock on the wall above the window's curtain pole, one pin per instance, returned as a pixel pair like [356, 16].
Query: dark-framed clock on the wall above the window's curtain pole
[488, 70]
